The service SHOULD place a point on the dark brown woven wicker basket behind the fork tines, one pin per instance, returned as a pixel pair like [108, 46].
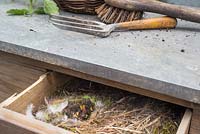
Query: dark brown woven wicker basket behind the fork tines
[79, 6]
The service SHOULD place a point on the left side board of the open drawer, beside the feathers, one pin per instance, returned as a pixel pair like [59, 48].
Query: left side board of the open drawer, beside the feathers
[34, 94]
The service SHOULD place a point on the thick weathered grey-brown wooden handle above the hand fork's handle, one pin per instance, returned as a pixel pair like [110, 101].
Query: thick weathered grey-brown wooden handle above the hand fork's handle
[176, 11]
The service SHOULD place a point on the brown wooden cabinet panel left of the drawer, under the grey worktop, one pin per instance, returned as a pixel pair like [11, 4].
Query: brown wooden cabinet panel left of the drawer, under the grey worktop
[15, 77]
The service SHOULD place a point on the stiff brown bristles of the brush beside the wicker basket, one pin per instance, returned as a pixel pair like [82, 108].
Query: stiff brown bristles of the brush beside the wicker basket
[109, 14]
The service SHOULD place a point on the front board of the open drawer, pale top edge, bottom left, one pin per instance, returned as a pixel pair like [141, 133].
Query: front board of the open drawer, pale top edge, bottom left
[15, 123]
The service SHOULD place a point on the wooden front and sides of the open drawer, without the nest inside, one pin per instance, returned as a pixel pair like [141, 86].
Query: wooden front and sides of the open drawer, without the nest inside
[12, 111]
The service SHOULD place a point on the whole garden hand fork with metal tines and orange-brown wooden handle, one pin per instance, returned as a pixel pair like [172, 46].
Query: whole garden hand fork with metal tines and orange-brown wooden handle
[100, 29]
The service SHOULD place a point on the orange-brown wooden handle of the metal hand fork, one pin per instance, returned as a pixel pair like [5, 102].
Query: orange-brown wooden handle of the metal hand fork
[153, 23]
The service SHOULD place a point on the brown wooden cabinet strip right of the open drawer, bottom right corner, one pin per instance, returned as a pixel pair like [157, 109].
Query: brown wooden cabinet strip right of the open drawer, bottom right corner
[195, 122]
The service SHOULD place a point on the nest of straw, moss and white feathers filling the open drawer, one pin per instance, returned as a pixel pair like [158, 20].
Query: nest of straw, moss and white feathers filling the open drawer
[85, 107]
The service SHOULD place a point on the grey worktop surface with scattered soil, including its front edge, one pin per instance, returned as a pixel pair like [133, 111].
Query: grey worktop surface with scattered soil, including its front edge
[162, 61]
